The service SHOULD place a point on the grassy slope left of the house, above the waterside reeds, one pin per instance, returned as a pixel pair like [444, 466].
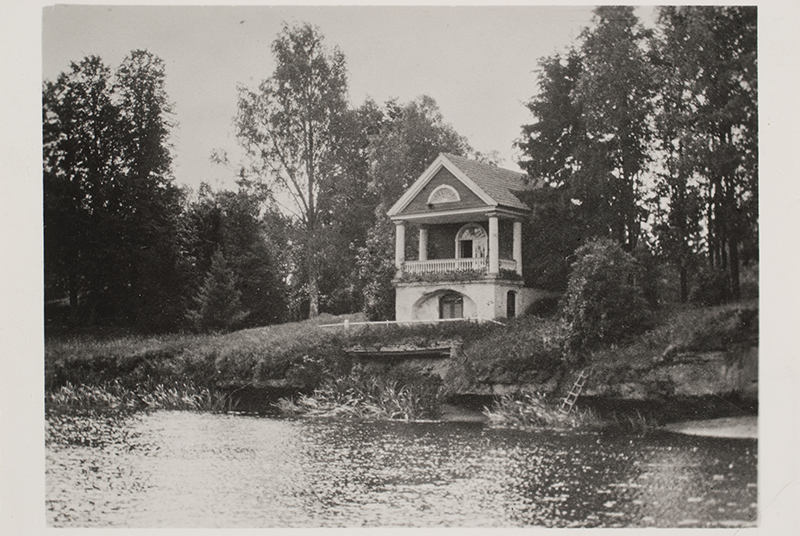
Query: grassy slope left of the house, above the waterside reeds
[299, 352]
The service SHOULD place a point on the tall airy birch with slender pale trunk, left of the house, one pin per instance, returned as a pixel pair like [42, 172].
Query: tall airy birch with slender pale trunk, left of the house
[288, 126]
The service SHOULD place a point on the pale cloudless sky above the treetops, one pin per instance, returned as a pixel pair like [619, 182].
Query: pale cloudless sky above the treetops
[478, 63]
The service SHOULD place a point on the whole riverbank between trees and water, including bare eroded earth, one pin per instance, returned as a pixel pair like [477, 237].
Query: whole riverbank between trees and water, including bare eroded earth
[697, 363]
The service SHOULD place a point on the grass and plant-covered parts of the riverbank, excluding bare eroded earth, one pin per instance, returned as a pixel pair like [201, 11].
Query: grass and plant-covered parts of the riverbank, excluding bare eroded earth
[188, 371]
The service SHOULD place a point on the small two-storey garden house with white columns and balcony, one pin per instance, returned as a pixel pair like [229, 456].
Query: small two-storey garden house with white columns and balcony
[467, 262]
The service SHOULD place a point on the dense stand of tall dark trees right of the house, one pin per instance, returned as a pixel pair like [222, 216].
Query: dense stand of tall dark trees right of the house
[650, 135]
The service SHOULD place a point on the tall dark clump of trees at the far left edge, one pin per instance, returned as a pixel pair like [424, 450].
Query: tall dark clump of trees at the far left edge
[110, 205]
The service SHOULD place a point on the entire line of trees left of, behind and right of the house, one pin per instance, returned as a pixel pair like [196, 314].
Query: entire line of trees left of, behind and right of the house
[646, 137]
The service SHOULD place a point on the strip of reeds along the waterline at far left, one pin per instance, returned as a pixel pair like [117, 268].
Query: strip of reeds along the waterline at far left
[114, 395]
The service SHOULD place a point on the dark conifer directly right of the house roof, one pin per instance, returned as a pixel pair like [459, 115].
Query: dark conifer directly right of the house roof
[568, 208]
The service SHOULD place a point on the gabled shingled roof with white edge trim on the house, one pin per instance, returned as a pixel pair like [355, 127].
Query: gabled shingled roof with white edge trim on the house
[494, 185]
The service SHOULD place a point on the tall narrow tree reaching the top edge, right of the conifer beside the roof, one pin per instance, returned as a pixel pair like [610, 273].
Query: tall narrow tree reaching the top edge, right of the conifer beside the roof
[615, 91]
